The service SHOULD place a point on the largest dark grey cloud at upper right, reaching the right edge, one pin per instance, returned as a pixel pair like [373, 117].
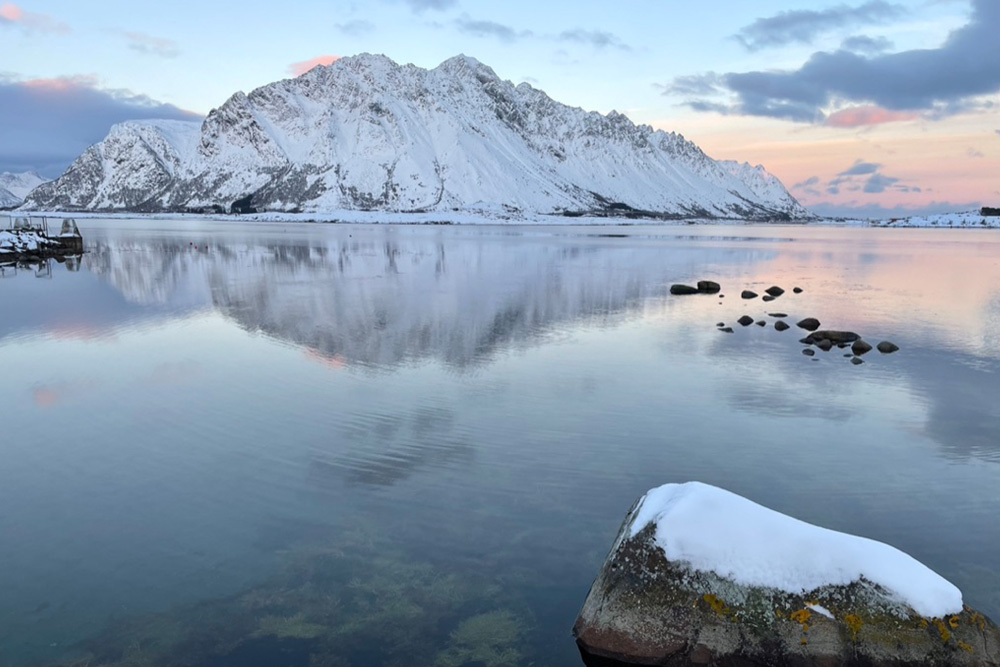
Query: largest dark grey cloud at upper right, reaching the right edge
[939, 82]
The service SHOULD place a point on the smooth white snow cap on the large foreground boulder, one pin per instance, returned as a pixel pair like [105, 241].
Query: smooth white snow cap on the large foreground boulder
[714, 530]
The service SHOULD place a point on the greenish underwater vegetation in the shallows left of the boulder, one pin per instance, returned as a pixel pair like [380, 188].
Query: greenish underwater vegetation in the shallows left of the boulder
[358, 605]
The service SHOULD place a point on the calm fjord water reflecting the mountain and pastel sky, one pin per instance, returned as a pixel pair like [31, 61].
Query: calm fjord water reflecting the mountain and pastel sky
[417, 443]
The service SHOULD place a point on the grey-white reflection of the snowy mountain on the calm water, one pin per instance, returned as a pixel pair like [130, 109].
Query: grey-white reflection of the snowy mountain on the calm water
[369, 298]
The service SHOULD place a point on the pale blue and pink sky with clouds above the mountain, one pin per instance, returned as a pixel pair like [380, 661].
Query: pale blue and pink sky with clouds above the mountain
[861, 107]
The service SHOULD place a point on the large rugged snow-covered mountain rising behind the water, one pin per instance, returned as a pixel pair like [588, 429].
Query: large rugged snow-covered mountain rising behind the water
[365, 133]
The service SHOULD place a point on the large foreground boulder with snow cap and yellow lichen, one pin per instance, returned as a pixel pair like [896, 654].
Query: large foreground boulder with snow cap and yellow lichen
[699, 575]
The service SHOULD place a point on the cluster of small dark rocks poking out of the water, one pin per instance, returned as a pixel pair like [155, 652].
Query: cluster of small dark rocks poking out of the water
[823, 340]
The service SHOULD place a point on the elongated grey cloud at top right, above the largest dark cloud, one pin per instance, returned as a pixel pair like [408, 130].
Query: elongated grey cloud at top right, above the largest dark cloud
[802, 26]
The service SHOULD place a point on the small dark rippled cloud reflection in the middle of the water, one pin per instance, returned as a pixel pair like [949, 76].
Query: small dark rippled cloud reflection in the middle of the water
[382, 449]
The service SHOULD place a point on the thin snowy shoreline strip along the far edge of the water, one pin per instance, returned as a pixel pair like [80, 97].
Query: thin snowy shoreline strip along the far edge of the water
[964, 220]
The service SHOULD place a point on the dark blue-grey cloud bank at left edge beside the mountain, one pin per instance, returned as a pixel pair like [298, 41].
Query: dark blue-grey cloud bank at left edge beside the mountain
[45, 125]
